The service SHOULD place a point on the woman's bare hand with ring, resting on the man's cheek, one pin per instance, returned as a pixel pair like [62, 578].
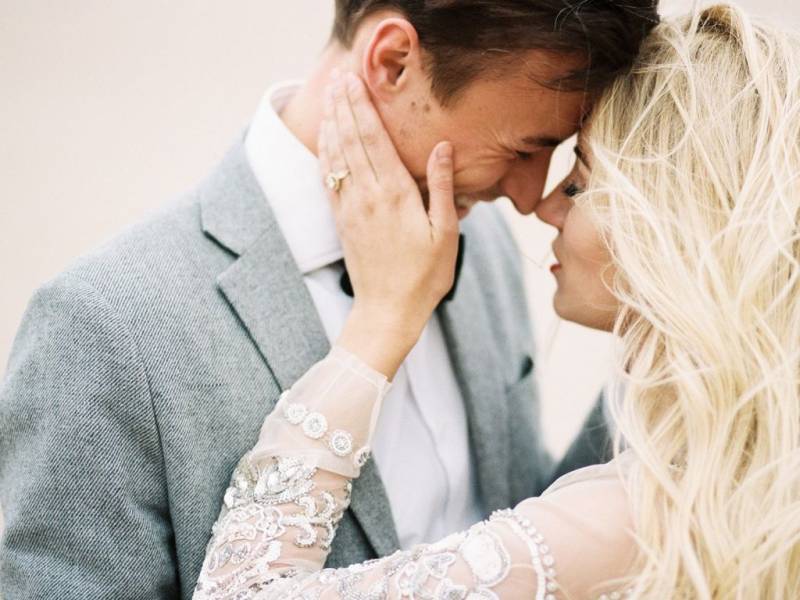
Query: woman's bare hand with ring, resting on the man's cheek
[400, 256]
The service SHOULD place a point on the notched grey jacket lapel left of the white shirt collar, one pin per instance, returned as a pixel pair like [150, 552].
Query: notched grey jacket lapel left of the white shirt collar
[266, 290]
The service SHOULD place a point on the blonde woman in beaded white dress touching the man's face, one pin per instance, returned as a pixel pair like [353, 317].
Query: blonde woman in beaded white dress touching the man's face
[678, 231]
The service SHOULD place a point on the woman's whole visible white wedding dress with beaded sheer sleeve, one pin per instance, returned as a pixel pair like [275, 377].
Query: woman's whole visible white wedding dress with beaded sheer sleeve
[287, 495]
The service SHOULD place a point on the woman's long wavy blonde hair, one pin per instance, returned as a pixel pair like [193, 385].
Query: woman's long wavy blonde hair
[695, 185]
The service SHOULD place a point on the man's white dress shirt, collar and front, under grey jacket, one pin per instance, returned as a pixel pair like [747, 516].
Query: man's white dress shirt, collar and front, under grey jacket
[421, 443]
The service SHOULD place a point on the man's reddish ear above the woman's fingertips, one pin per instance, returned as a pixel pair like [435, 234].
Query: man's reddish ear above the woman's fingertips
[392, 58]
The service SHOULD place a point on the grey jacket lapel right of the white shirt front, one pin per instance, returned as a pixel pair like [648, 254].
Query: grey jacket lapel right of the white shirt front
[465, 321]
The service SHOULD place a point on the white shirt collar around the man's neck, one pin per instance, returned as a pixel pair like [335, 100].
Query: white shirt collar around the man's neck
[289, 176]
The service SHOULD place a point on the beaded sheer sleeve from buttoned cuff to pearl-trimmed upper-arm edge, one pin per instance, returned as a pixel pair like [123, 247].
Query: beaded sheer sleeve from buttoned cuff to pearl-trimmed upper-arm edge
[288, 494]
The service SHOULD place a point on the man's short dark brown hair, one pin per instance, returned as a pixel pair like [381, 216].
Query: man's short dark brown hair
[466, 38]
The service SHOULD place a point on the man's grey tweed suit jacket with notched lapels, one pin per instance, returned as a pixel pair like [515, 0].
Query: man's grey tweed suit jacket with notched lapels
[141, 374]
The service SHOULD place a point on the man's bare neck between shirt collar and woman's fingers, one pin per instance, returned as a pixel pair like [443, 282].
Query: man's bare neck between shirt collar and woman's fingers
[303, 114]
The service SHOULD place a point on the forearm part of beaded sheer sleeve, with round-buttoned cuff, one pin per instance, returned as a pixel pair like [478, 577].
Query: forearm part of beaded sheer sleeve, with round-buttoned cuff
[287, 495]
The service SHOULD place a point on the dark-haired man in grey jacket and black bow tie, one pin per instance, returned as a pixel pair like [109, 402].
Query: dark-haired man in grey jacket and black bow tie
[142, 374]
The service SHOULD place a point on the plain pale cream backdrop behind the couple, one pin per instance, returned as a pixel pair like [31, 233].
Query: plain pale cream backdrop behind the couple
[109, 108]
